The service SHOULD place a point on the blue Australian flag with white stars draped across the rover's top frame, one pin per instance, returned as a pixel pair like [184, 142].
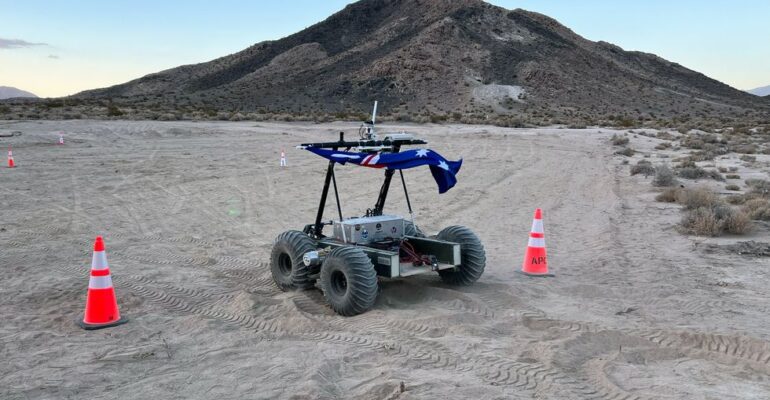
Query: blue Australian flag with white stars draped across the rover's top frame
[443, 171]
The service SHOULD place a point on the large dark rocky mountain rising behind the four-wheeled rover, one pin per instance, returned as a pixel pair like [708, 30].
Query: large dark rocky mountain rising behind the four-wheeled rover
[437, 57]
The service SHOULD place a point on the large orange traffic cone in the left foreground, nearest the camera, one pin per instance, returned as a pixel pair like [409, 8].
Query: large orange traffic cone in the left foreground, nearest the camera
[101, 304]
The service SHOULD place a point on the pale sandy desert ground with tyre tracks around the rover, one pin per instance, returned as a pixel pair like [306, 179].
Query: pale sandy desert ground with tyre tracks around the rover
[189, 211]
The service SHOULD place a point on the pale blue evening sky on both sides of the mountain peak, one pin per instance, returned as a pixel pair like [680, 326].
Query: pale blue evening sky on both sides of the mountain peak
[56, 48]
